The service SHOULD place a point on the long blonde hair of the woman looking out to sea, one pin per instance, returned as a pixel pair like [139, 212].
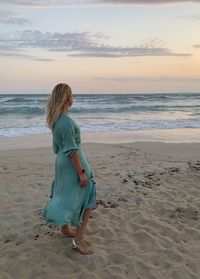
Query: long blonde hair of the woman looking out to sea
[56, 102]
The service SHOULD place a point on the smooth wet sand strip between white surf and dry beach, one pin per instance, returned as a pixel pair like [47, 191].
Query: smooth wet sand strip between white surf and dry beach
[178, 136]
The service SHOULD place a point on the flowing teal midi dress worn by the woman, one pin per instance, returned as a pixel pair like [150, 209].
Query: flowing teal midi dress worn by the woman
[68, 199]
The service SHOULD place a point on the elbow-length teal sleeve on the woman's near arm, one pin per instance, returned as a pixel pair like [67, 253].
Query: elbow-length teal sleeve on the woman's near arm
[68, 139]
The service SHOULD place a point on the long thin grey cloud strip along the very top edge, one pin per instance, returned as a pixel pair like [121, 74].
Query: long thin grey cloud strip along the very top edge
[74, 3]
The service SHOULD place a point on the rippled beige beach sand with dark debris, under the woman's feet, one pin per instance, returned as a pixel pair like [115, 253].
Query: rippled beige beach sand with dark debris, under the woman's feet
[145, 226]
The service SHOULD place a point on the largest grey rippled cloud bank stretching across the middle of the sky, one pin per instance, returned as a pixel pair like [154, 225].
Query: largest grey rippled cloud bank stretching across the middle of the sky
[82, 44]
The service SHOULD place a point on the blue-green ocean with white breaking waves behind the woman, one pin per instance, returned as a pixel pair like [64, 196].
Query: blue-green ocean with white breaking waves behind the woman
[24, 114]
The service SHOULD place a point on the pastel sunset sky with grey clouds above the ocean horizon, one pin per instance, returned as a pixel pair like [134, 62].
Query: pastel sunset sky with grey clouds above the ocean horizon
[104, 46]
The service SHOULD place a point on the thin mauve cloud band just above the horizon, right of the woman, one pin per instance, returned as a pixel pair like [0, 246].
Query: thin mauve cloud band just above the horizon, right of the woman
[150, 79]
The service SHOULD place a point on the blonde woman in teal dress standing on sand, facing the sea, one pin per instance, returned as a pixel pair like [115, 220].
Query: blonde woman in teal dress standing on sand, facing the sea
[73, 191]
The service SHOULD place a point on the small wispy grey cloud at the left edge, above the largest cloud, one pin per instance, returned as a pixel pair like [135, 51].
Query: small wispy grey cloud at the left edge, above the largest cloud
[7, 17]
